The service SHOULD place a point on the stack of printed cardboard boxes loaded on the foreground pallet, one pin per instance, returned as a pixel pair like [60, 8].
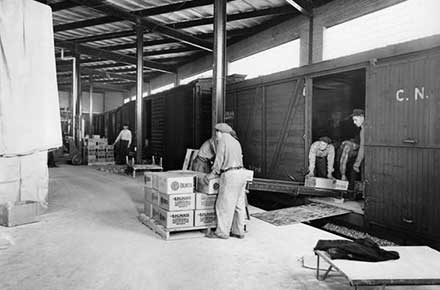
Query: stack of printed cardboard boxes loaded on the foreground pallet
[171, 199]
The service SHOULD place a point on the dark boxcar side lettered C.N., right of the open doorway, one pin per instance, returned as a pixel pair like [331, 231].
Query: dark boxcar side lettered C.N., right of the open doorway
[403, 144]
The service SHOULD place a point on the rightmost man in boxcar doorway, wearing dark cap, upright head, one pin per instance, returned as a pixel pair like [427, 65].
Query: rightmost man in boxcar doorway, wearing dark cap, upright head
[353, 149]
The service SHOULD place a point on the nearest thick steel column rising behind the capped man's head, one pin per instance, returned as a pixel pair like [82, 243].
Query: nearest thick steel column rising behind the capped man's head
[219, 64]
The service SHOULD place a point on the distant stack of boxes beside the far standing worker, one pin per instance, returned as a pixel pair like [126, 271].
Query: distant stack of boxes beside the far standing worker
[98, 151]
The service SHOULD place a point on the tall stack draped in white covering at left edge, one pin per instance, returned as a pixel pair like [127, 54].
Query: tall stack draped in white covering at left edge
[29, 109]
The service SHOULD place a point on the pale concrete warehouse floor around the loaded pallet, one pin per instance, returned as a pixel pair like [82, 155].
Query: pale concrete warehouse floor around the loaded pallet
[91, 239]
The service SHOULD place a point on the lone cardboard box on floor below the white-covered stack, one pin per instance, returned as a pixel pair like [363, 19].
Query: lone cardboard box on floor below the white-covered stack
[19, 213]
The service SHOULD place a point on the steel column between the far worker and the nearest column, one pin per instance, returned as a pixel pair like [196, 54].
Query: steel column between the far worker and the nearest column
[139, 90]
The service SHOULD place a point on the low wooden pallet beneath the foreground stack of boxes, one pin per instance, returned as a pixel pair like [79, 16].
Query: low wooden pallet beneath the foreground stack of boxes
[173, 234]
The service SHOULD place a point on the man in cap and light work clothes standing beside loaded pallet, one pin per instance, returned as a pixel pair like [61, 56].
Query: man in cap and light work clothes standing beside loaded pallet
[230, 206]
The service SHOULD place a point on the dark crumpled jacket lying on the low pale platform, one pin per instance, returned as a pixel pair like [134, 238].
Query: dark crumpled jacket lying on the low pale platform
[359, 250]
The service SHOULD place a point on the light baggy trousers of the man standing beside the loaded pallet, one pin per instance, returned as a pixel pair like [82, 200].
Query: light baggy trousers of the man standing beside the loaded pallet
[230, 206]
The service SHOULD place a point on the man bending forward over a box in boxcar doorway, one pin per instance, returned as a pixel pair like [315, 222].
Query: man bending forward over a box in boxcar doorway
[321, 158]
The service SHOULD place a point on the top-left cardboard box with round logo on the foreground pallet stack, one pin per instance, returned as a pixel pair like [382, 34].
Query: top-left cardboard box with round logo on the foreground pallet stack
[173, 183]
